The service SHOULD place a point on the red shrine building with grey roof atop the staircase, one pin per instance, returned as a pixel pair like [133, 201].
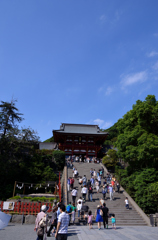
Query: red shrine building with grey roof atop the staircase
[79, 139]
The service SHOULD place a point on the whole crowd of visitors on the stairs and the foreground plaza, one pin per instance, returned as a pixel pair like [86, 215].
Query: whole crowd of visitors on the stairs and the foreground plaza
[98, 182]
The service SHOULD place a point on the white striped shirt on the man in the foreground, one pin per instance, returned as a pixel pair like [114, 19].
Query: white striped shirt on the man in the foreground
[64, 222]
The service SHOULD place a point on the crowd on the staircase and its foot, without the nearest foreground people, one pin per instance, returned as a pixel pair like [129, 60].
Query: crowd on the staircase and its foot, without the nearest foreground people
[99, 181]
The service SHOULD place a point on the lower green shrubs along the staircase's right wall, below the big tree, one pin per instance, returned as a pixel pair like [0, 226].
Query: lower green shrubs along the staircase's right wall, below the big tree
[142, 186]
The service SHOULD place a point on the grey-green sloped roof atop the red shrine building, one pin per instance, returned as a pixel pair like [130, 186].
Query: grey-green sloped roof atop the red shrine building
[80, 129]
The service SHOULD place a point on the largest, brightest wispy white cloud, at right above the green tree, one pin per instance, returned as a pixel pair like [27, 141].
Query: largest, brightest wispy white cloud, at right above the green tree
[133, 78]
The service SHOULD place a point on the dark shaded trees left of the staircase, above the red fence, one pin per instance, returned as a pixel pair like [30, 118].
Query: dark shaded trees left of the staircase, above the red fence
[19, 158]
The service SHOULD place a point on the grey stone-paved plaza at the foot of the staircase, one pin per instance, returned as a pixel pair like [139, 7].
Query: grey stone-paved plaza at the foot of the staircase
[26, 232]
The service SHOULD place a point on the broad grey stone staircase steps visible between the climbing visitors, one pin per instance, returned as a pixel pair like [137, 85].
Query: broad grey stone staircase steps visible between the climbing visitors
[123, 216]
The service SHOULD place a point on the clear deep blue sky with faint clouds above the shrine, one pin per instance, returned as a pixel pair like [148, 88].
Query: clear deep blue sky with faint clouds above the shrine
[77, 61]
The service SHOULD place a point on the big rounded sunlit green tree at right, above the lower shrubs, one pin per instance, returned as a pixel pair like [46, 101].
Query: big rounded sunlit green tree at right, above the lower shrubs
[137, 141]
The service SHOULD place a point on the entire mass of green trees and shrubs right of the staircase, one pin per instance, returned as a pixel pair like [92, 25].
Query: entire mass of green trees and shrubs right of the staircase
[137, 144]
